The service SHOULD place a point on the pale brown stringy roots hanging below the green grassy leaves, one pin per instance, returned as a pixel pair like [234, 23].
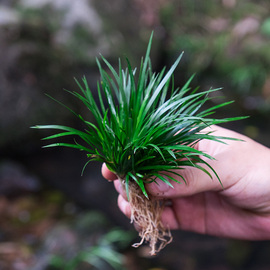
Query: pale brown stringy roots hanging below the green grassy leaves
[146, 214]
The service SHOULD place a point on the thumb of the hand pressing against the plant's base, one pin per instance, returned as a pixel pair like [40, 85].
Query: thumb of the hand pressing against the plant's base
[196, 181]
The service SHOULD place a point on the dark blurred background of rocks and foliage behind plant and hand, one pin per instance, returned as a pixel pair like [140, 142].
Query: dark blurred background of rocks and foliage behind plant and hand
[51, 217]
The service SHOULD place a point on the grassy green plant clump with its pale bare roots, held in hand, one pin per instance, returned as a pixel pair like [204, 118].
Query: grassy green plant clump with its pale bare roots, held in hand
[144, 130]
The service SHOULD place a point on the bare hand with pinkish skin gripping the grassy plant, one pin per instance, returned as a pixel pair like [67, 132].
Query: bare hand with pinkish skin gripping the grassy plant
[240, 209]
